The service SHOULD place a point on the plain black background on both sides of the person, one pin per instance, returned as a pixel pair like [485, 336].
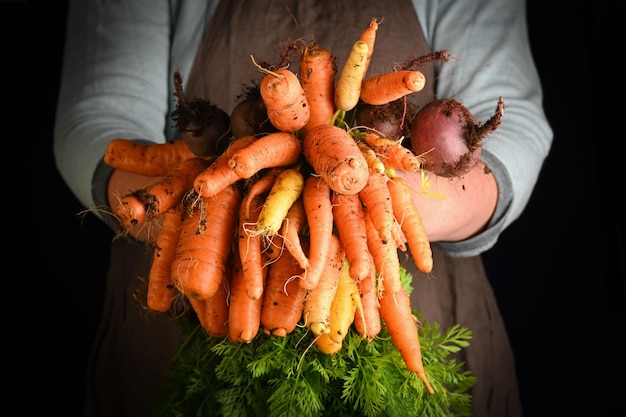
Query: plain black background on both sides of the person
[558, 271]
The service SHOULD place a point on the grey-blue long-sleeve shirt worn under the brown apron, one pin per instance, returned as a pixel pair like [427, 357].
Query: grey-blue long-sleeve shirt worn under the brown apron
[120, 57]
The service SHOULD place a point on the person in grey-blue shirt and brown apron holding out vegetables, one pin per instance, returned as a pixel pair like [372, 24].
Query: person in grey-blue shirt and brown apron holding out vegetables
[117, 83]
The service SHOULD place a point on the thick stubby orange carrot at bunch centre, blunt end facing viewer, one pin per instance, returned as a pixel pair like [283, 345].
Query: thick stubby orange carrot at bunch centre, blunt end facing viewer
[336, 157]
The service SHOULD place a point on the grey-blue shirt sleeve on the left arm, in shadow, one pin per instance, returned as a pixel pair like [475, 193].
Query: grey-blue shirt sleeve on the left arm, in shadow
[114, 84]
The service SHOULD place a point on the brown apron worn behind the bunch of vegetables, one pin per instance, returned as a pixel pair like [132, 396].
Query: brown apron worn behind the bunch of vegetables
[134, 350]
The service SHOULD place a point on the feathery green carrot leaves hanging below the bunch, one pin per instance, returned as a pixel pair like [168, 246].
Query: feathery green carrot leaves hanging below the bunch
[276, 376]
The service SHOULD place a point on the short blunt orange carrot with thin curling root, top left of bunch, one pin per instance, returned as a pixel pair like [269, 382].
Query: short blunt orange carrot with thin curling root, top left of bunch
[286, 102]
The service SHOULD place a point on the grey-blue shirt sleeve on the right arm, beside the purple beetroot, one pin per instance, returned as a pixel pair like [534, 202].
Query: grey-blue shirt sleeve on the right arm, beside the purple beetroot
[491, 52]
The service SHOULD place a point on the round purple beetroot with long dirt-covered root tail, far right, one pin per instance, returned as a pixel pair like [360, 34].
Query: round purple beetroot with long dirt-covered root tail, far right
[449, 137]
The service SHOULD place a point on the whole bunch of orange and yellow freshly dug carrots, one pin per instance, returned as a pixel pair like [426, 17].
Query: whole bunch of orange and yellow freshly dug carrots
[301, 224]
